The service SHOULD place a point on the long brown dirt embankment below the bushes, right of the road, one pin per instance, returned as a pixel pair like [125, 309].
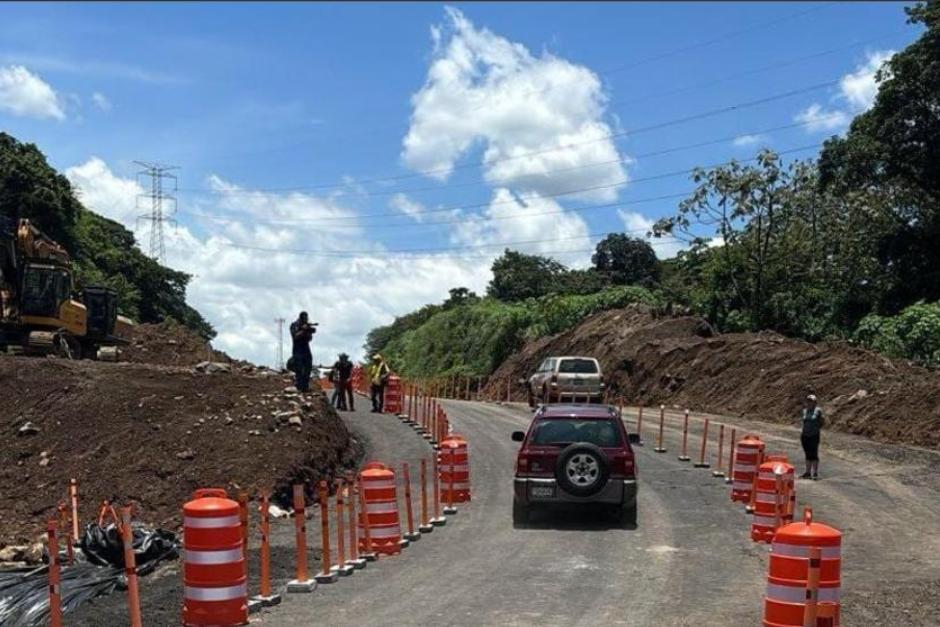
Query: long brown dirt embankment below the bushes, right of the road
[682, 361]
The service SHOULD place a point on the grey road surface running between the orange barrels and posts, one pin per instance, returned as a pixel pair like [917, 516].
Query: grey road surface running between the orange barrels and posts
[688, 562]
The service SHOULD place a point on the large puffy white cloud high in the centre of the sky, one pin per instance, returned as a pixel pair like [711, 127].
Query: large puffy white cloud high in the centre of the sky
[538, 119]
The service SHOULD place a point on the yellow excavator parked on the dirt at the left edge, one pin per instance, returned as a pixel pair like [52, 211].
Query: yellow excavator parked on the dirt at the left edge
[41, 312]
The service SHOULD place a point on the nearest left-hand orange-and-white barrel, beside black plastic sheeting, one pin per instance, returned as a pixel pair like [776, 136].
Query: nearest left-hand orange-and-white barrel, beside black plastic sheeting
[215, 588]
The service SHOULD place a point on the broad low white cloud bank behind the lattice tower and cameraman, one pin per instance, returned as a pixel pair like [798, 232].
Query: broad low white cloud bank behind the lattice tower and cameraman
[241, 290]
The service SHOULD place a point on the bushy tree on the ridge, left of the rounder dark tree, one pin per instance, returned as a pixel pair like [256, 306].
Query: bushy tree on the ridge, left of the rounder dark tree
[517, 276]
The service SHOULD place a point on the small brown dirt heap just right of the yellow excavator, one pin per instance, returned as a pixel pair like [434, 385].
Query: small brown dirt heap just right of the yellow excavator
[169, 344]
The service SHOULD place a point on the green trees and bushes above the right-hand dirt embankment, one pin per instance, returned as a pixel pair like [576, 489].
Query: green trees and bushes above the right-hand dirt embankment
[844, 247]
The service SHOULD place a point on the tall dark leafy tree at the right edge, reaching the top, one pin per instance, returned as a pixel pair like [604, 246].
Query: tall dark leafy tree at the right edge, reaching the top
[894, 148]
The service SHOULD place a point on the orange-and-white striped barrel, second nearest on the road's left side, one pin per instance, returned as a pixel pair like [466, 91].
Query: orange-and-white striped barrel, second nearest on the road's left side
[380, 513]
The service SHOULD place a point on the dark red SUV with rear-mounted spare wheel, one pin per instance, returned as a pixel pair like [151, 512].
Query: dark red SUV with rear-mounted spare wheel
[575, 454]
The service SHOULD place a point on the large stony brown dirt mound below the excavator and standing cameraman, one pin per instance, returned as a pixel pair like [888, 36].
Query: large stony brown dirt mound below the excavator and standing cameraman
[152, 434]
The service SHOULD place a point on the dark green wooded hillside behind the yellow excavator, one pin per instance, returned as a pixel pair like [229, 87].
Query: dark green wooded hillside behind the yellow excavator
[103, 250]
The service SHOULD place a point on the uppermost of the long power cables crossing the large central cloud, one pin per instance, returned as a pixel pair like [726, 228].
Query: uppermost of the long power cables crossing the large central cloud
[604, 137]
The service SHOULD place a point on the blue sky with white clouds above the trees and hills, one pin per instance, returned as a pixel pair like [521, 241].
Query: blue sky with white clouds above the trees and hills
[281, 117]
